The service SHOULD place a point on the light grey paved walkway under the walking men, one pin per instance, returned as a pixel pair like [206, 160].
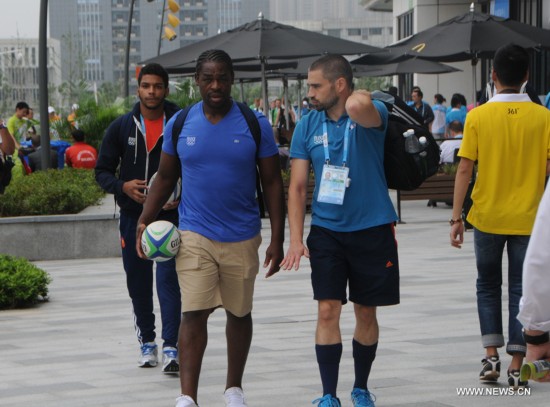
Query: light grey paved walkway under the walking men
[79, 348]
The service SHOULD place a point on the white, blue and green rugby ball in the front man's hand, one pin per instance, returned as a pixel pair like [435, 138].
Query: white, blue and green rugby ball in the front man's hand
[160, 241]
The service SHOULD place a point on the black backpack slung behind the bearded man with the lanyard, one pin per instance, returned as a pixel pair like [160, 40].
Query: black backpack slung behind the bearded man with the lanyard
[406, 171]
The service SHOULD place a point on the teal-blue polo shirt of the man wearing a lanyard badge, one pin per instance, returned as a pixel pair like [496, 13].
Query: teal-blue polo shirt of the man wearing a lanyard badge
[366, 202]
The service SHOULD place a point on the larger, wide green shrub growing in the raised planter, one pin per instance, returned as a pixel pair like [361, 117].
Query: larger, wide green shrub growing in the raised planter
[51, 192]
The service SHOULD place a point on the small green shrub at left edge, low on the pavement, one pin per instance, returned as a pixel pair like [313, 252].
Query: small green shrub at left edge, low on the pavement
[21, 282]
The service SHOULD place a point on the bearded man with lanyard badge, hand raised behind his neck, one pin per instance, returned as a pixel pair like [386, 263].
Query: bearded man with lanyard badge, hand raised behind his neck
[351, 244]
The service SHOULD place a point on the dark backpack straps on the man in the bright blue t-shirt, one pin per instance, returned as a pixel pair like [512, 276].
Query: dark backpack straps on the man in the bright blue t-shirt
[254, 127]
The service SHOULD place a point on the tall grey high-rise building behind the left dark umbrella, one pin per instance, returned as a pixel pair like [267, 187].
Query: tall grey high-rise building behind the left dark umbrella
[93, 33]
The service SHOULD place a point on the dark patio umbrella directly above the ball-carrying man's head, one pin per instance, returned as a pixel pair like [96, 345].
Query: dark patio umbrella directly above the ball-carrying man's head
[261, 40]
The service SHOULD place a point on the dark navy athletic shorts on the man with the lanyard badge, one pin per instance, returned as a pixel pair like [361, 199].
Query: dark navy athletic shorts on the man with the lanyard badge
[367, 259]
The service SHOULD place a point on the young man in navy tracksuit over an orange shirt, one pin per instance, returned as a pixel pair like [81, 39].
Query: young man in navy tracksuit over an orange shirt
[133, 144]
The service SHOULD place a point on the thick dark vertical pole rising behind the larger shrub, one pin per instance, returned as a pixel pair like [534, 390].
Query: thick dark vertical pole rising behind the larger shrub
[43, 84]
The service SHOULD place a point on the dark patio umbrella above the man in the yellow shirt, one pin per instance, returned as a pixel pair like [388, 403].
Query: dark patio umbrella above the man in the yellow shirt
[469, 36]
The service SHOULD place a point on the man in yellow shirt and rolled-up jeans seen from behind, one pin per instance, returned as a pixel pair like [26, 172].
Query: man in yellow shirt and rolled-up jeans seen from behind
[510, 182]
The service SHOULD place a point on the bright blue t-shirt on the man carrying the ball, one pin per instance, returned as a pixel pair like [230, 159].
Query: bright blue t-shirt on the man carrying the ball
[218, 161]
